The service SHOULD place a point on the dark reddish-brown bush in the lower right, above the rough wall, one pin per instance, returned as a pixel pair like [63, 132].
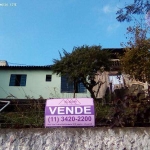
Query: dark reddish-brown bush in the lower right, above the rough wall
[131, 110]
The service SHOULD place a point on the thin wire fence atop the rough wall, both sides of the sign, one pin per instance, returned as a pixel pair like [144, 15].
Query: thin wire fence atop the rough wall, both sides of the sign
[30, 113]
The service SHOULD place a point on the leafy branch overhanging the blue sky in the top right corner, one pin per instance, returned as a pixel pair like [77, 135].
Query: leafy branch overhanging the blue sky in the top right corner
[130, 10]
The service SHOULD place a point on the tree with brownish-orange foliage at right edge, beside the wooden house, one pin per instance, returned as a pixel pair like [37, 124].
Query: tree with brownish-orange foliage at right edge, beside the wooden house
[136, 59]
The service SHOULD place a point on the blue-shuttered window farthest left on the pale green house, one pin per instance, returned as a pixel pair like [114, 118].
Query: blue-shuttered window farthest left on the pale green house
[18, 80]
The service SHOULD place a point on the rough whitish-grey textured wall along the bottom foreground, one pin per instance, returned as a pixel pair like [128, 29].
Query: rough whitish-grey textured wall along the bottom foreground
[75, 139]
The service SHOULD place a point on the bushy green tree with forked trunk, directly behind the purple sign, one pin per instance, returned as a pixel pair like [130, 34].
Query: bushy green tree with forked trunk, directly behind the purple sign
[81, 65]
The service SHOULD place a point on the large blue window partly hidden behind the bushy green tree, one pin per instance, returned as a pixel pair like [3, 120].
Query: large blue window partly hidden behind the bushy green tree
[68, 86]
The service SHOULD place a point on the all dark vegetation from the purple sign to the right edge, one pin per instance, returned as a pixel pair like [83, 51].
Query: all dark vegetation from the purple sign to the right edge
[125, 110]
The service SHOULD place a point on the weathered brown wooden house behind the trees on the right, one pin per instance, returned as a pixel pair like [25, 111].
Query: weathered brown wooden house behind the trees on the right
[112, 79]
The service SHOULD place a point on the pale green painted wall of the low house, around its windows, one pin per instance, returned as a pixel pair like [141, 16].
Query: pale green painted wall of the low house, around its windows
[36, 85]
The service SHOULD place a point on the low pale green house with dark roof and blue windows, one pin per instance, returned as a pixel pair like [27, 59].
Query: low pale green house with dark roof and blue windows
[23, 82]
